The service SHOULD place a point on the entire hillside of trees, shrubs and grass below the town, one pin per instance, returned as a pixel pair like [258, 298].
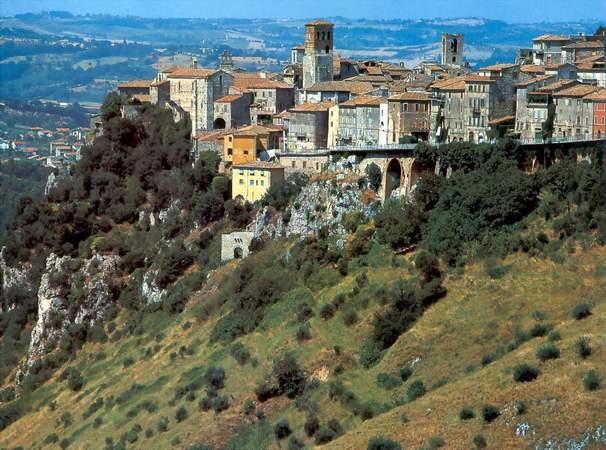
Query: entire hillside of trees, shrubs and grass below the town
[489, 333]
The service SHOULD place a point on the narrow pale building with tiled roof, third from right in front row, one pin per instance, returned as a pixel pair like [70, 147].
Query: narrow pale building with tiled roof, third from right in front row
[531, 115]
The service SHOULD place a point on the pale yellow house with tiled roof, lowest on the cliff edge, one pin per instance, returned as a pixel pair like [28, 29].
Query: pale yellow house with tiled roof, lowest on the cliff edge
[252, 180]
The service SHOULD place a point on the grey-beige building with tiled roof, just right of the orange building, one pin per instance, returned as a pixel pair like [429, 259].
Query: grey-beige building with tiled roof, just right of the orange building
[308, 126]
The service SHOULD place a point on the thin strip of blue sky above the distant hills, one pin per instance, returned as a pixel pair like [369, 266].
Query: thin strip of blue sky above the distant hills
[508, 10]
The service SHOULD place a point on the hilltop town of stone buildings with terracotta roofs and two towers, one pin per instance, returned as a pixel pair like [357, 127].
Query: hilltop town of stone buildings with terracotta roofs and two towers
[323, 103]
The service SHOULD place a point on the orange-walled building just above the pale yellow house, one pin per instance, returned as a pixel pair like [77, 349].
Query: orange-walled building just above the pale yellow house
[243, 145]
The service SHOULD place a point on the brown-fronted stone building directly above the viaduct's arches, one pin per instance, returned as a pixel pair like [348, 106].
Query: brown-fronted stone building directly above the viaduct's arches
[408, 115]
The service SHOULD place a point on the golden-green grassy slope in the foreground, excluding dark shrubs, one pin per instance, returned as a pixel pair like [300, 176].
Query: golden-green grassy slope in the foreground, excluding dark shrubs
[137, 376]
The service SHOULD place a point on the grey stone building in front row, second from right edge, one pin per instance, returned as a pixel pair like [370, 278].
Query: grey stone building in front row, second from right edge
[573, 115]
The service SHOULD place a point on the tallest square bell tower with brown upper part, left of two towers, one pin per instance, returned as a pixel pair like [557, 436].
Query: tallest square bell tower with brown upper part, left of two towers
[317, 61]
